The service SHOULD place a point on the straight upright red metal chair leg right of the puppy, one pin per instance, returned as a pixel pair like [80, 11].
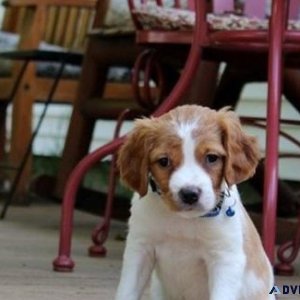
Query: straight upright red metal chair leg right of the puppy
[277, 24]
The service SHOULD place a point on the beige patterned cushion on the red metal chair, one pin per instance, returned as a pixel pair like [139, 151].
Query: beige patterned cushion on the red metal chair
[161, 18]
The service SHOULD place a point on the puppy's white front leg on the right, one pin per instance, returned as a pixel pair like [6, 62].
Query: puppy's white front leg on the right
[225, 277]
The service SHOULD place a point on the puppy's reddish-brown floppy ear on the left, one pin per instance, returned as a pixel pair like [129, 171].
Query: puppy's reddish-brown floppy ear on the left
[133, 159]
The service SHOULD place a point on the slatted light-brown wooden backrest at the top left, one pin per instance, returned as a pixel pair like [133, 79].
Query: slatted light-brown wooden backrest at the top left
[64, 24]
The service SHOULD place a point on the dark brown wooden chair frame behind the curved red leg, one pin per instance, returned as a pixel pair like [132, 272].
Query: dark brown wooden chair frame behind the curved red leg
[95, 99]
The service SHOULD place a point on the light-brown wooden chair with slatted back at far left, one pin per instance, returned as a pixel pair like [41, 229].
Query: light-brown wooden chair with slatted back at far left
[63, 24]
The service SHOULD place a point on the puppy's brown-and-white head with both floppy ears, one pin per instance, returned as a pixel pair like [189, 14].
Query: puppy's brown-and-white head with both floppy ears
[189, 152]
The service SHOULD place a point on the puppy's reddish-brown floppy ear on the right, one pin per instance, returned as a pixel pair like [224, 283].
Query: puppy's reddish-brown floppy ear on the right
[242, 153]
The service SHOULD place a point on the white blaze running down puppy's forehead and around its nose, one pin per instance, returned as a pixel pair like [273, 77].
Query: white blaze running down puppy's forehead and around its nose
[190, 173]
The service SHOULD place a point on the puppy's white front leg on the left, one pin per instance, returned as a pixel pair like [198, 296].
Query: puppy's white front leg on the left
[138, 263]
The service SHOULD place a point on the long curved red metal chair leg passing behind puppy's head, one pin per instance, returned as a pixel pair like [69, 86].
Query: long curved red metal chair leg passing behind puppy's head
[64, 262]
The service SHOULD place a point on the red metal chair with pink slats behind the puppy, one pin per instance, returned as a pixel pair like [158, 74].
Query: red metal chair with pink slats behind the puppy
[232, 46]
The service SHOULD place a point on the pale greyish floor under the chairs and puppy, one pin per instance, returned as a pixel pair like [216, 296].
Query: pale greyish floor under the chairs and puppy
[29, 238]
